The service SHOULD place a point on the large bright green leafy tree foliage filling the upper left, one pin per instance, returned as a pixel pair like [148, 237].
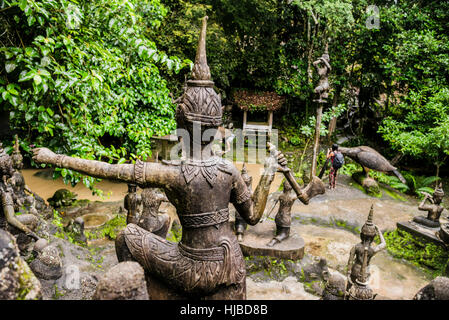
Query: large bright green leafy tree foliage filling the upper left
[83, 77]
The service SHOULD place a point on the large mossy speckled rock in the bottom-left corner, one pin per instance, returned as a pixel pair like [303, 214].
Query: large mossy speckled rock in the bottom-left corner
[16, 279]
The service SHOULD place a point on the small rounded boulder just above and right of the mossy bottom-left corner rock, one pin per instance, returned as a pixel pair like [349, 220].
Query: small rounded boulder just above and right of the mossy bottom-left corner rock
[48, 264]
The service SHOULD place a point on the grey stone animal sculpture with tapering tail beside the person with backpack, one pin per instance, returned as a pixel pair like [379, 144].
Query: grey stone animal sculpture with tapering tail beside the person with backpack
[369, 158]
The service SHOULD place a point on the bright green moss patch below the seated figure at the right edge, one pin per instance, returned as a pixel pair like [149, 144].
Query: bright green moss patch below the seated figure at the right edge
[432, 258]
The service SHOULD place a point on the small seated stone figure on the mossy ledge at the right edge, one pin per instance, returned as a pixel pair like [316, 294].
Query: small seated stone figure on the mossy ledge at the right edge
[434, 209]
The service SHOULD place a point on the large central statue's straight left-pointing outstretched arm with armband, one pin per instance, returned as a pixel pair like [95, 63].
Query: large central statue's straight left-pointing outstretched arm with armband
[142, 173]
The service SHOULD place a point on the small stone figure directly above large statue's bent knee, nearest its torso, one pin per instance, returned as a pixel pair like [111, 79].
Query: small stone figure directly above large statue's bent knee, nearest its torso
[150, 219]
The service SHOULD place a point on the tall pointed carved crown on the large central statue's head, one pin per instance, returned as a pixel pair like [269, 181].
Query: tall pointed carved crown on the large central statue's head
[199, 102]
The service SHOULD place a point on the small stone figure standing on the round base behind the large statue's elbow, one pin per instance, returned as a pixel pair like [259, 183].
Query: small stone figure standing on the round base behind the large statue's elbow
[283, 218]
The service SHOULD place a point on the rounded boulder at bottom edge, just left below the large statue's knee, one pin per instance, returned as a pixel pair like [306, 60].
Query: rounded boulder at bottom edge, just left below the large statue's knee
[124, 281]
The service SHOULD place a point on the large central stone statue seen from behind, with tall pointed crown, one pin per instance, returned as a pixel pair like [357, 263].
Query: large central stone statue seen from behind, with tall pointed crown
[207, 263]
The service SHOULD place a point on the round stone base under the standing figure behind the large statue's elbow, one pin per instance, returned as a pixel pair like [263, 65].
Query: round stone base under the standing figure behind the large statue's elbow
[256, 238]
